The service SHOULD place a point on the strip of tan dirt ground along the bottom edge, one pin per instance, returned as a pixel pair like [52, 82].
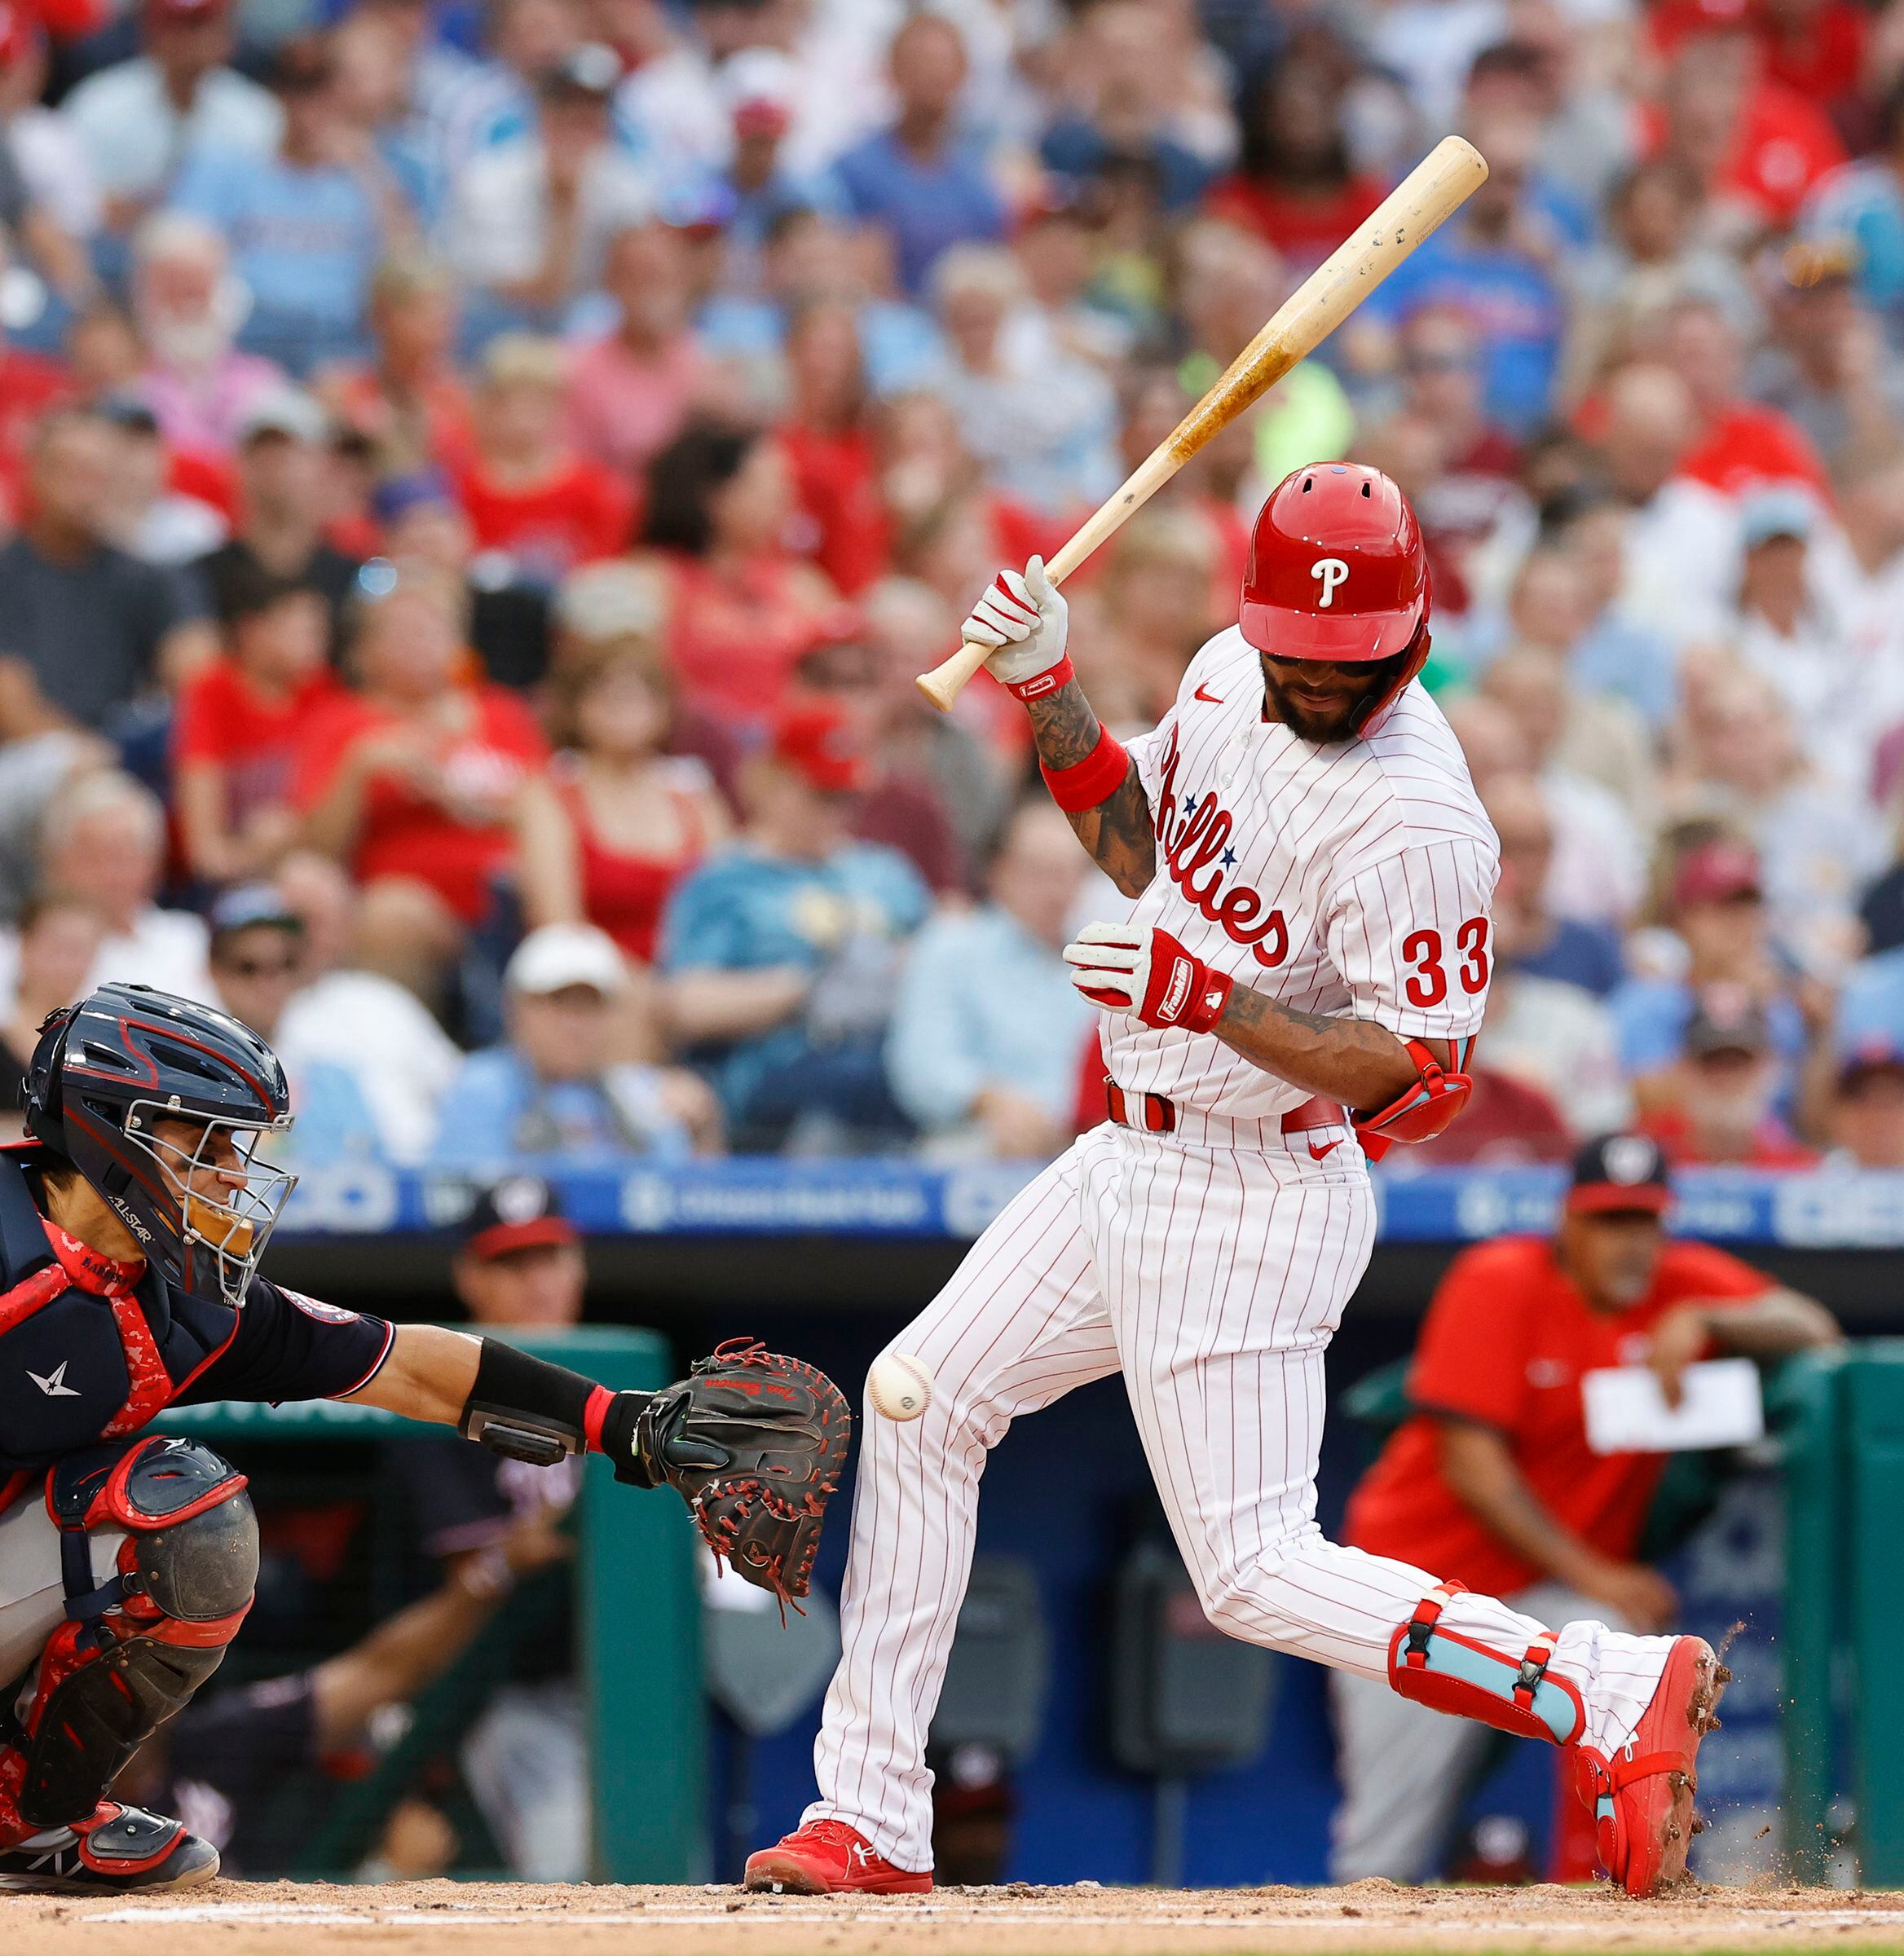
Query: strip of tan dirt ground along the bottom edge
[455, 1920]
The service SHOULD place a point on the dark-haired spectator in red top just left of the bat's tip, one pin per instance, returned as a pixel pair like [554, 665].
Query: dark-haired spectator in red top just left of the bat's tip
[1294, 183]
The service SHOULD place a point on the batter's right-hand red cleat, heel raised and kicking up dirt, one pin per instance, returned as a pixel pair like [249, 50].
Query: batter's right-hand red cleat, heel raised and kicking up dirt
[1643, 1797]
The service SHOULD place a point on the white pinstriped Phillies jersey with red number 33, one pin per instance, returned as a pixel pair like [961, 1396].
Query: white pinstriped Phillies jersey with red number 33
[1349, 879]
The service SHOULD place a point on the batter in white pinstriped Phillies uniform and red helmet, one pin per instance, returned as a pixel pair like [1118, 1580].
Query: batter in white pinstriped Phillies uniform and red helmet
[1294, 989]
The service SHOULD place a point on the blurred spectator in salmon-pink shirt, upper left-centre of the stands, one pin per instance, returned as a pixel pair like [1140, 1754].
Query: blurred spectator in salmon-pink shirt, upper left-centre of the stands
[631, 392]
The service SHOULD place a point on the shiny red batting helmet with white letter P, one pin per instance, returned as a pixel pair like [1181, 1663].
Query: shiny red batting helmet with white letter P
[1337, 572]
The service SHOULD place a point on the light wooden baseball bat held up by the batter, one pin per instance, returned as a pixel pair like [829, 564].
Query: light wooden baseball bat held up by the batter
[1431, 193]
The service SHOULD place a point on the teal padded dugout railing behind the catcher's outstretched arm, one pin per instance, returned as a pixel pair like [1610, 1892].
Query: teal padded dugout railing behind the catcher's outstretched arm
[637, 1617]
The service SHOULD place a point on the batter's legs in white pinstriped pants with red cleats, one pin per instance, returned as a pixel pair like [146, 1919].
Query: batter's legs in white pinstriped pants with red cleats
[1214, 1282]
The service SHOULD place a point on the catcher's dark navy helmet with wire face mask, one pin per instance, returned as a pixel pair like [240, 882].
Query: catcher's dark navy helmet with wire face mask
[120, 1061]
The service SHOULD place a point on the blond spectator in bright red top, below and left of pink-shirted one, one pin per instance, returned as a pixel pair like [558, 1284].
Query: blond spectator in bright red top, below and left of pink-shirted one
[527, 492]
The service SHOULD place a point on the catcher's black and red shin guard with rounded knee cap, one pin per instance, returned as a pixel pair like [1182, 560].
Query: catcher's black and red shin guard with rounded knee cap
[136, 1648]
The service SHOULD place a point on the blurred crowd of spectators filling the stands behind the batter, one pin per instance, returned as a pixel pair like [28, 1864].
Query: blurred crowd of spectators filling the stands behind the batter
[482, 474]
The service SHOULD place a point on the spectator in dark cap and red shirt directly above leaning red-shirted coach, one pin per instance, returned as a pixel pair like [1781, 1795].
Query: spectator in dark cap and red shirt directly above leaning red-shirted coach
[1715, 1104]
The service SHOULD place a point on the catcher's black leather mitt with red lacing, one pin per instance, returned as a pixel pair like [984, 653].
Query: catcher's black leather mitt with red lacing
[754, 1443]
